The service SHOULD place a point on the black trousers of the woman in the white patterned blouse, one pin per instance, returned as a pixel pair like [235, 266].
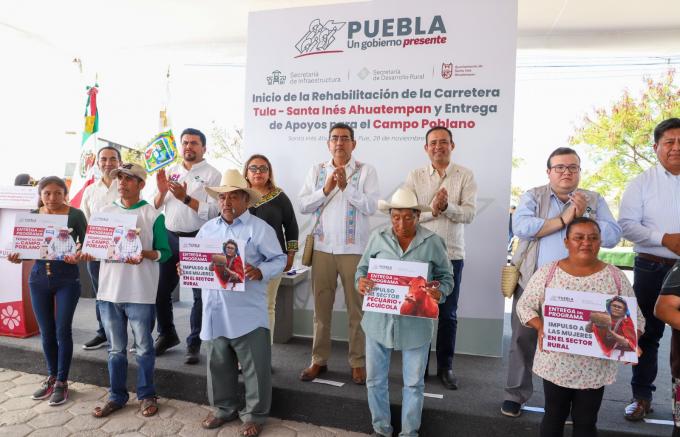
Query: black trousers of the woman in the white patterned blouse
[582, 404]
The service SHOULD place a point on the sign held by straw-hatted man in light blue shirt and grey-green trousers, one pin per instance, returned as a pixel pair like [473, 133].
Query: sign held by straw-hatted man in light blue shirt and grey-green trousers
[212, 264]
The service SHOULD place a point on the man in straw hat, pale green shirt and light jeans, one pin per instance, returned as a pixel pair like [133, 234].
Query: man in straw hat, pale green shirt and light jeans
[404, 240]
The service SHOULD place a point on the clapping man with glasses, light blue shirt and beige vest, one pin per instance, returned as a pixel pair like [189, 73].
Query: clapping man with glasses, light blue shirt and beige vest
[540, 223]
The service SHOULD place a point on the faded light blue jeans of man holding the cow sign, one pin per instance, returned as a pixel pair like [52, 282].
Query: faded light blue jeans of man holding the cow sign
[413, 370]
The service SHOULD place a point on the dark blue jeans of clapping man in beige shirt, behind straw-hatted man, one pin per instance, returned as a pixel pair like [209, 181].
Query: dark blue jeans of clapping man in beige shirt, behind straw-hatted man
[448, 321]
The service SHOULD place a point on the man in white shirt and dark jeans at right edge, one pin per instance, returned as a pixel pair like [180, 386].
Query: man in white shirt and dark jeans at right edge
[650, 218]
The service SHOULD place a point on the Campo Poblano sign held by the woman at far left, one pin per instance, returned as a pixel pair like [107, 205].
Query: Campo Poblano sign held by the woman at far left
[42, 236]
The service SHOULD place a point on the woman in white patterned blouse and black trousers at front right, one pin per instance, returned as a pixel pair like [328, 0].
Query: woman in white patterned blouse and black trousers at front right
[573, 383]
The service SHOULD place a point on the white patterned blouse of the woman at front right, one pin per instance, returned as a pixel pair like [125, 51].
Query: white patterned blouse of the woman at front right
[568, 370]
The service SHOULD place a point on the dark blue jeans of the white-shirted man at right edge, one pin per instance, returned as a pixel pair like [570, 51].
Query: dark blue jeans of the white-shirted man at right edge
[648, 278]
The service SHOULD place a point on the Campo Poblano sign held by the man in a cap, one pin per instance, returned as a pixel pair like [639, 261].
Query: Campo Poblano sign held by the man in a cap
[112, 237]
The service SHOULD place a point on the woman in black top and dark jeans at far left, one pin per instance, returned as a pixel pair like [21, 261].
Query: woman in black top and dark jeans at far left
[55, 289]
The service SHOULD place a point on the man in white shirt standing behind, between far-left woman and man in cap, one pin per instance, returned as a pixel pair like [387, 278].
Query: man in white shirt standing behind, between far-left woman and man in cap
[95, 197]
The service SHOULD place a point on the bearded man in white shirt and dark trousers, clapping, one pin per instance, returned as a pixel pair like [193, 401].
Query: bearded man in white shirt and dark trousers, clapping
[181, 193]
